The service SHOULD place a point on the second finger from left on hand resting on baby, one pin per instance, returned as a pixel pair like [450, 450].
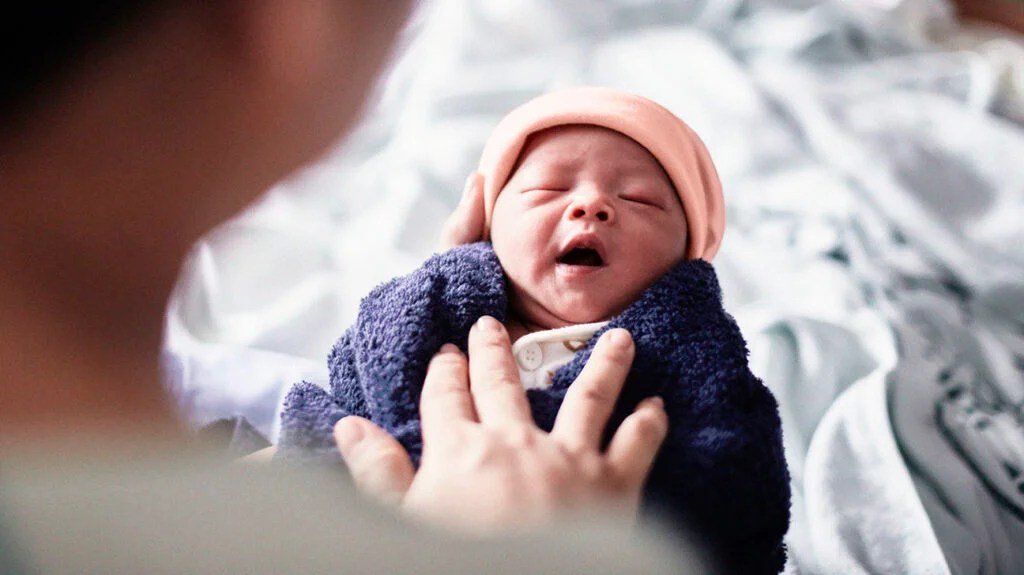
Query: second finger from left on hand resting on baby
[446, 391]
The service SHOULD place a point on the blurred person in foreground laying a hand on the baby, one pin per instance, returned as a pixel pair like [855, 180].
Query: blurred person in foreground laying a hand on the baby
[127, 129]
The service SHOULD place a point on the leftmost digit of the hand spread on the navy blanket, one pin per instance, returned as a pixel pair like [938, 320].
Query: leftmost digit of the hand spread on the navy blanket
[379, 465]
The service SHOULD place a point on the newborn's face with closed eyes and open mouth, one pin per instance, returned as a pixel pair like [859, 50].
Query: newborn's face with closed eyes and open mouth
[588, 222]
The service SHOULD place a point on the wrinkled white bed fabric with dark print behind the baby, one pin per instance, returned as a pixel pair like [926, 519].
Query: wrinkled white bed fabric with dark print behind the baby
[867, 168]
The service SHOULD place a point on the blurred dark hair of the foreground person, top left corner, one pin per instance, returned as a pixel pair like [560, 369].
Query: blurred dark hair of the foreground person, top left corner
[46, 39]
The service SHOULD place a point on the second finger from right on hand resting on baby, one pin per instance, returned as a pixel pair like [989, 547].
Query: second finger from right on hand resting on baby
[592, 396]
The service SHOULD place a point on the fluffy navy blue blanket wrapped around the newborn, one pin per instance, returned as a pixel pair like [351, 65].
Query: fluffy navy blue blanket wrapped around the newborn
[721, 472]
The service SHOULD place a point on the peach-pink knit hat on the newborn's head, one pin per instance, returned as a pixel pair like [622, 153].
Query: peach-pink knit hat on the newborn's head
[670, 141]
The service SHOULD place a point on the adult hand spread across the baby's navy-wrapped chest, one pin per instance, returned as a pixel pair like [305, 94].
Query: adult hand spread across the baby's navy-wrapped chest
[487, 466]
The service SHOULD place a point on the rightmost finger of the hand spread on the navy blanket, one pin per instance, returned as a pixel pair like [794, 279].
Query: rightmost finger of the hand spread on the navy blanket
[635, 445]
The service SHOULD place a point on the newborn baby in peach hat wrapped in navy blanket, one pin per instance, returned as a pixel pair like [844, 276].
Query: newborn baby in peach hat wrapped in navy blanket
[604, 210]
